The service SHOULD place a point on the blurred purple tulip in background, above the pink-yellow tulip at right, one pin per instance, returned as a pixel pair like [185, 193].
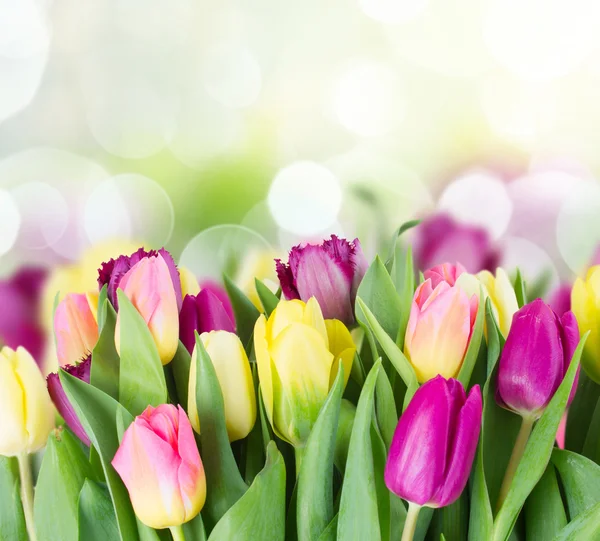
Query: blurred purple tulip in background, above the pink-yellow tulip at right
[440, 238]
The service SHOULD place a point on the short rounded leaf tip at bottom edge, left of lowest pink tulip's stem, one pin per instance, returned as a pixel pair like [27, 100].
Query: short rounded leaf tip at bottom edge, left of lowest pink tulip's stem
[97, 521]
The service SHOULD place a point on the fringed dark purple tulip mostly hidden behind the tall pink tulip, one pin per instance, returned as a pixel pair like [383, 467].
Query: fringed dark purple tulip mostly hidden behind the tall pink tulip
[111, 272]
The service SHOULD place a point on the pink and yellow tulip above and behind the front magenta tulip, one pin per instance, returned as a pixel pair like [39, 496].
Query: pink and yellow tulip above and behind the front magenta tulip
[439, 329]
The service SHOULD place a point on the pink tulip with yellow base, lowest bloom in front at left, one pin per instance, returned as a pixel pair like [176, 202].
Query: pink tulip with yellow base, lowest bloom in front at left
[159, 464]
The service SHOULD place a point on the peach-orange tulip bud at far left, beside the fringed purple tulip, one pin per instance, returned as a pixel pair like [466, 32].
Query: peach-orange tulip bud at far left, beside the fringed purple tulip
[75, 328]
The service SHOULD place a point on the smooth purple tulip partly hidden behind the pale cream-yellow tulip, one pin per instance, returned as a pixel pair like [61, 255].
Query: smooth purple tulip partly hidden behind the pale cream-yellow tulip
[203, 313]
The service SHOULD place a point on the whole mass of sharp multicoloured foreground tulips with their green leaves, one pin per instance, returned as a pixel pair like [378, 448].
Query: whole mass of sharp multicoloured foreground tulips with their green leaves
[357, 402]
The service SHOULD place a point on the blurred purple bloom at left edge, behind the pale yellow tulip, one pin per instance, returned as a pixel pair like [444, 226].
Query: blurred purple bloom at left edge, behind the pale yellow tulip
[20, 314]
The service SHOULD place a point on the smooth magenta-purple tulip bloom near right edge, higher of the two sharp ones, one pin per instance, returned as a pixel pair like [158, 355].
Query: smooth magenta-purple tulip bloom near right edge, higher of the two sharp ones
[535, 358]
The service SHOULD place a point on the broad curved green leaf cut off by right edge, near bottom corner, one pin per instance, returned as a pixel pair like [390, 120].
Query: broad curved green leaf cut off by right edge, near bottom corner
[580, 479]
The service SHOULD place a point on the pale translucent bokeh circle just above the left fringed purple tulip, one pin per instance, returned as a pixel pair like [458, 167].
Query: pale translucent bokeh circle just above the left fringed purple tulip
[129, 206]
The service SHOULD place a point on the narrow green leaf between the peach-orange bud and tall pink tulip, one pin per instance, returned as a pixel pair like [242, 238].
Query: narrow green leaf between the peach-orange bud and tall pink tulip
[104, 372]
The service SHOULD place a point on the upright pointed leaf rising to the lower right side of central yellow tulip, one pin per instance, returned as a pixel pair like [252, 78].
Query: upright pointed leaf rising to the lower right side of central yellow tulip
[314, 496]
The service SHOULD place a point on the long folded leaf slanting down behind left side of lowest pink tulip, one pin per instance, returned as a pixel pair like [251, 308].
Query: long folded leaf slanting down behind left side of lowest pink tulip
[97, 412]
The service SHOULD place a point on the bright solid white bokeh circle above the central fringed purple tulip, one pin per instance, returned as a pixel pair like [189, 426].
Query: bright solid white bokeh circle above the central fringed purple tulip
[305, 198]
